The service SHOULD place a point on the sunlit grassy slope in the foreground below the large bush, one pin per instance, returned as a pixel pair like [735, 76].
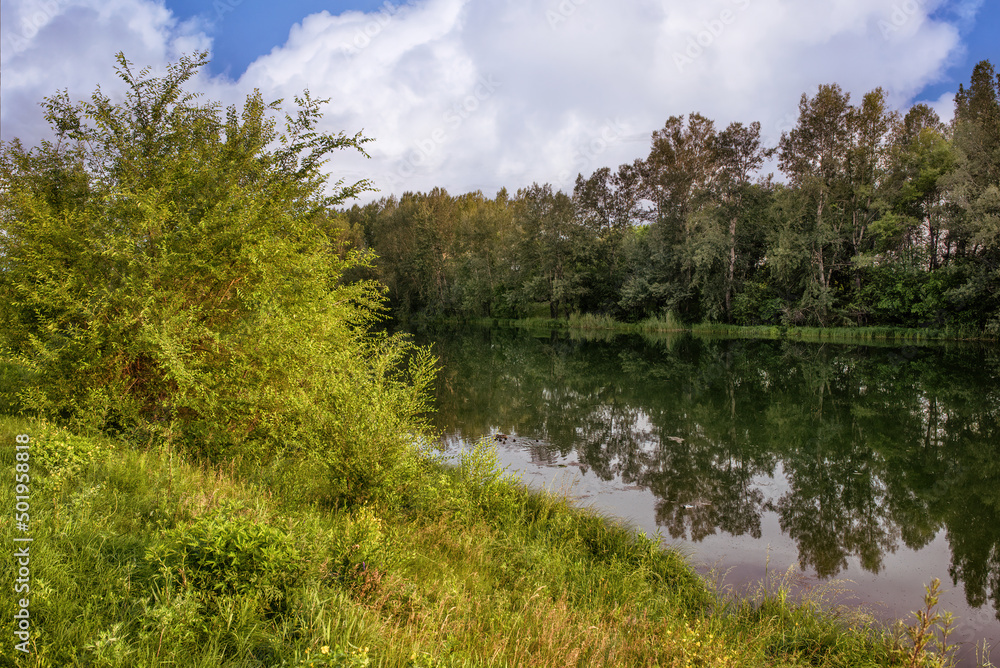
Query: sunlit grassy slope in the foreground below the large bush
[144, 558]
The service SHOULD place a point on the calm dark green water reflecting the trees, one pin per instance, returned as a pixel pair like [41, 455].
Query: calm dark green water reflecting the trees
[878, 465]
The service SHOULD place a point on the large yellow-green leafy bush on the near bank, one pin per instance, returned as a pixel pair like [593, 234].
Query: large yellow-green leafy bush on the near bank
[166, 274]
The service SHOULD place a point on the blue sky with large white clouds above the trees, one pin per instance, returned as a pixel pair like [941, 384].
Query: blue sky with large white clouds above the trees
[482, 94]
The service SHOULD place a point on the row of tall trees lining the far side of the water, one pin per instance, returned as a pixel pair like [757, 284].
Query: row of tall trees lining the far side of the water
[882, 218]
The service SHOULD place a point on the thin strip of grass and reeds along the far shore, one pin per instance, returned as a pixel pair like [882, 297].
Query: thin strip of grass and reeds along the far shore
[668, 323]
